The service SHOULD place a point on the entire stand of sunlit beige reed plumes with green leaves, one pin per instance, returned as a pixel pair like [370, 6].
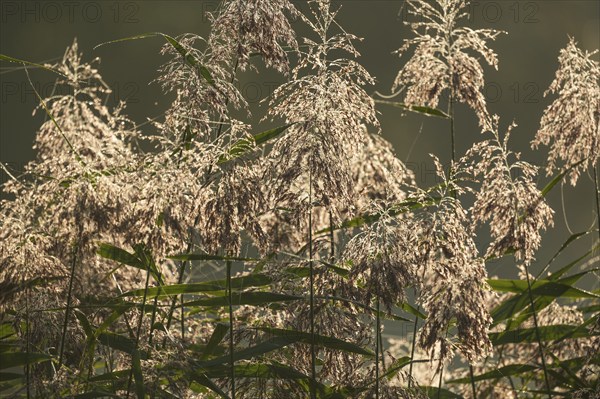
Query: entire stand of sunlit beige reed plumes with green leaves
[103, 234]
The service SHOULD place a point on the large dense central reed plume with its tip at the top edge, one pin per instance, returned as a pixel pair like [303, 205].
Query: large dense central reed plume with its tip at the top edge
[328, 108]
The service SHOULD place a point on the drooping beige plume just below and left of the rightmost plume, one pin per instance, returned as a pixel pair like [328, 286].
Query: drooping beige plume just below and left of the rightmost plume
[508, 199]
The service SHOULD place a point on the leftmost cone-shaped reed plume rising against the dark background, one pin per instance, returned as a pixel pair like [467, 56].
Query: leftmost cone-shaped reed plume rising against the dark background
[86, 127]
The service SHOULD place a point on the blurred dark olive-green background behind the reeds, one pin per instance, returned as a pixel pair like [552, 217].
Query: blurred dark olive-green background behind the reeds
[39, 31]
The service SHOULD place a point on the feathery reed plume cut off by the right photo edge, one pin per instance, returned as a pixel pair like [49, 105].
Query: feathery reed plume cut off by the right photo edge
[570, 125]
